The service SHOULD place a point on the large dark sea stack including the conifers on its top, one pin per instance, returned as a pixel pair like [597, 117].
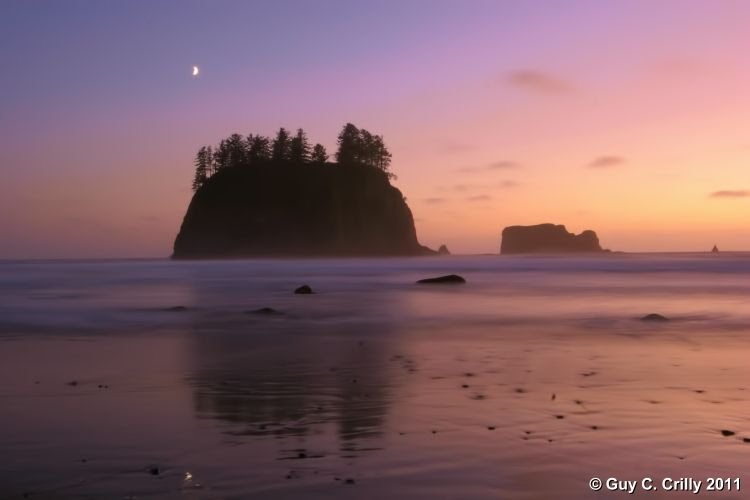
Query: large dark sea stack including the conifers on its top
[260, 197]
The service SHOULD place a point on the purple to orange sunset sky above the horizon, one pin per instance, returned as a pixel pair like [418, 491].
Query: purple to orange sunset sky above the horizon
[628, 117]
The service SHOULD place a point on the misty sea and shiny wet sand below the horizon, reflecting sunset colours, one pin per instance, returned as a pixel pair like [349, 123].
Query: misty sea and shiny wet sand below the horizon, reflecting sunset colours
[524, 383]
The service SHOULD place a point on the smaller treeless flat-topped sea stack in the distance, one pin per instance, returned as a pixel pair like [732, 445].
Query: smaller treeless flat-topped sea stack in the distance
[547, 238]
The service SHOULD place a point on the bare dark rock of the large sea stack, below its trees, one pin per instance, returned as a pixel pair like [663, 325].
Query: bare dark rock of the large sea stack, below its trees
[297, 210]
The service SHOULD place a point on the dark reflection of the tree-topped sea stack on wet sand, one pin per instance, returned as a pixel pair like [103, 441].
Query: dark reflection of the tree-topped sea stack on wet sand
[294, 378]
